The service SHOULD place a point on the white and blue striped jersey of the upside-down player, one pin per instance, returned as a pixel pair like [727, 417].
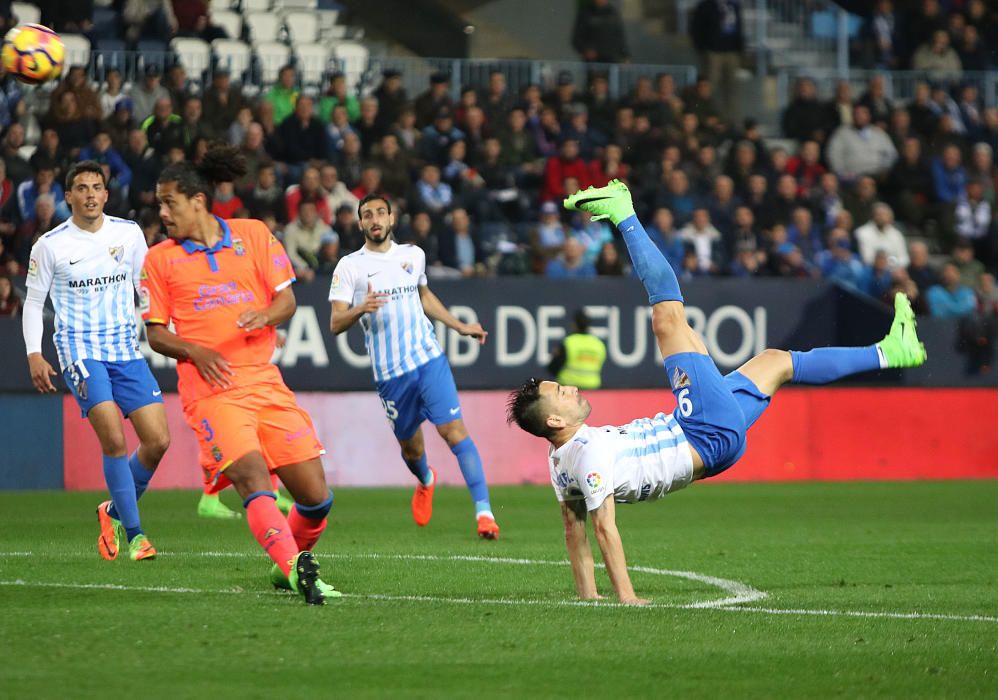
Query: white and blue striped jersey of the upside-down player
[640, 461]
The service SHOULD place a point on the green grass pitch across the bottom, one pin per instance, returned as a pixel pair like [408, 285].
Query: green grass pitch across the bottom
[920, 547]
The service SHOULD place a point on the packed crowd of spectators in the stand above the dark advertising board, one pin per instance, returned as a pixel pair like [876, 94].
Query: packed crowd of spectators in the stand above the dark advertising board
[877, 195]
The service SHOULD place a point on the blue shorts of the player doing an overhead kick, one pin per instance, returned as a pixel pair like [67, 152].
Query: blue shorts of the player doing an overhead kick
[713, 411]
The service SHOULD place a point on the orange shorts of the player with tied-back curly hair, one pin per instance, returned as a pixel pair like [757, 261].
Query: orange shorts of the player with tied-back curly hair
[264, 418]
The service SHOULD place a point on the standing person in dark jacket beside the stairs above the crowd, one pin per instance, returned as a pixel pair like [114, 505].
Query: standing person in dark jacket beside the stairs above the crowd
[716, 31]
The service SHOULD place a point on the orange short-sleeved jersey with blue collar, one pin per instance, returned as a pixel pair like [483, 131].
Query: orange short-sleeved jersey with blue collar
[203, 291]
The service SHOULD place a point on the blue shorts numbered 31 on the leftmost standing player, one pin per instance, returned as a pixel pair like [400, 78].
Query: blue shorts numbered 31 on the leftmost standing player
[129, 384]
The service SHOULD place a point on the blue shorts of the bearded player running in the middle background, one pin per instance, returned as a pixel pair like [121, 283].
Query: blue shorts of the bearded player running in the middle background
[426, 393]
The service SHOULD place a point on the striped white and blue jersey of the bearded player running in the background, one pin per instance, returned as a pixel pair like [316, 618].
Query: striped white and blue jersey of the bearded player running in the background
[399, 337]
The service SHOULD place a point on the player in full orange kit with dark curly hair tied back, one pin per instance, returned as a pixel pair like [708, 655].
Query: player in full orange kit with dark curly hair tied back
[225, 285]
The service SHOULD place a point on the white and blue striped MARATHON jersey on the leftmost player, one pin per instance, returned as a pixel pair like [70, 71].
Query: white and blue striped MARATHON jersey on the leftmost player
[92, 279]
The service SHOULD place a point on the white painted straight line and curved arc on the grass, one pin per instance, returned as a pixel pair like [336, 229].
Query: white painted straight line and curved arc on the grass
[740, 593]
